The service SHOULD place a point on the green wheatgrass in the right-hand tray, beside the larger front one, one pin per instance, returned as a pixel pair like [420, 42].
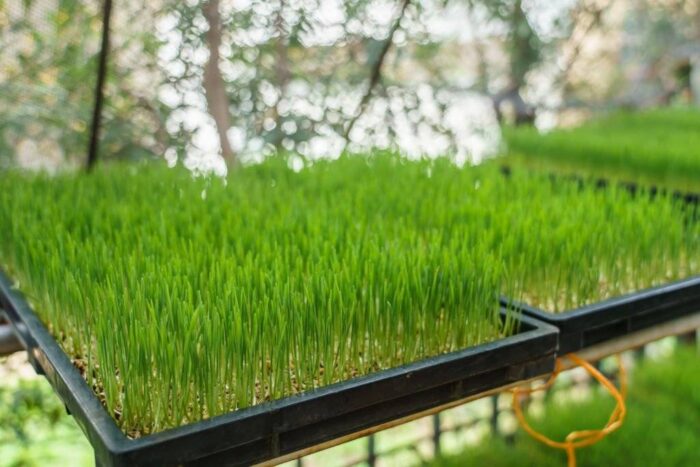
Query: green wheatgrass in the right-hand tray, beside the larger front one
[571, 246]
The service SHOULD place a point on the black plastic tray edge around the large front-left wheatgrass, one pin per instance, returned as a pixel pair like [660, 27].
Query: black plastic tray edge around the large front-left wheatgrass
[270, 430]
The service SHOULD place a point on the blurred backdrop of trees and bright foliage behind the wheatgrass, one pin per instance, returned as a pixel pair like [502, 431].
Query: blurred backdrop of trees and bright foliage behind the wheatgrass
[242, 80]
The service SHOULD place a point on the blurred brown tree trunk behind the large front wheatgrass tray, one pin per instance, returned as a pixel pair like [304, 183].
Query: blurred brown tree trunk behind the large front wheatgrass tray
[214, 86]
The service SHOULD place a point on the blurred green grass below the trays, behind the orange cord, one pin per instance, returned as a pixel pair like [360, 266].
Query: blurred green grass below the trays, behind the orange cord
[661, 428]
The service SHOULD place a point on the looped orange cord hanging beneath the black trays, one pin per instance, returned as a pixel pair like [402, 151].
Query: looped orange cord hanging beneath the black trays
[582, 438]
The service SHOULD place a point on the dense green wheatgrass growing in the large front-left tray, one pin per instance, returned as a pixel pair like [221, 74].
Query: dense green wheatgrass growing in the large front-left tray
[183, 307]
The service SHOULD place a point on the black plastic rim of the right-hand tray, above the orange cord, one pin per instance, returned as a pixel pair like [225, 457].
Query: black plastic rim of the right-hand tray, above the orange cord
[596, 323]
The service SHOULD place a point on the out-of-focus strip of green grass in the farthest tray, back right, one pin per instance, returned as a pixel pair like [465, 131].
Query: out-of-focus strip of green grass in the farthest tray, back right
[658, 147]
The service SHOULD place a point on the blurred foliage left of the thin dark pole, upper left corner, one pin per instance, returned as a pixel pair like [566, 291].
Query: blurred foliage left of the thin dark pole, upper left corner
[48, 57]
